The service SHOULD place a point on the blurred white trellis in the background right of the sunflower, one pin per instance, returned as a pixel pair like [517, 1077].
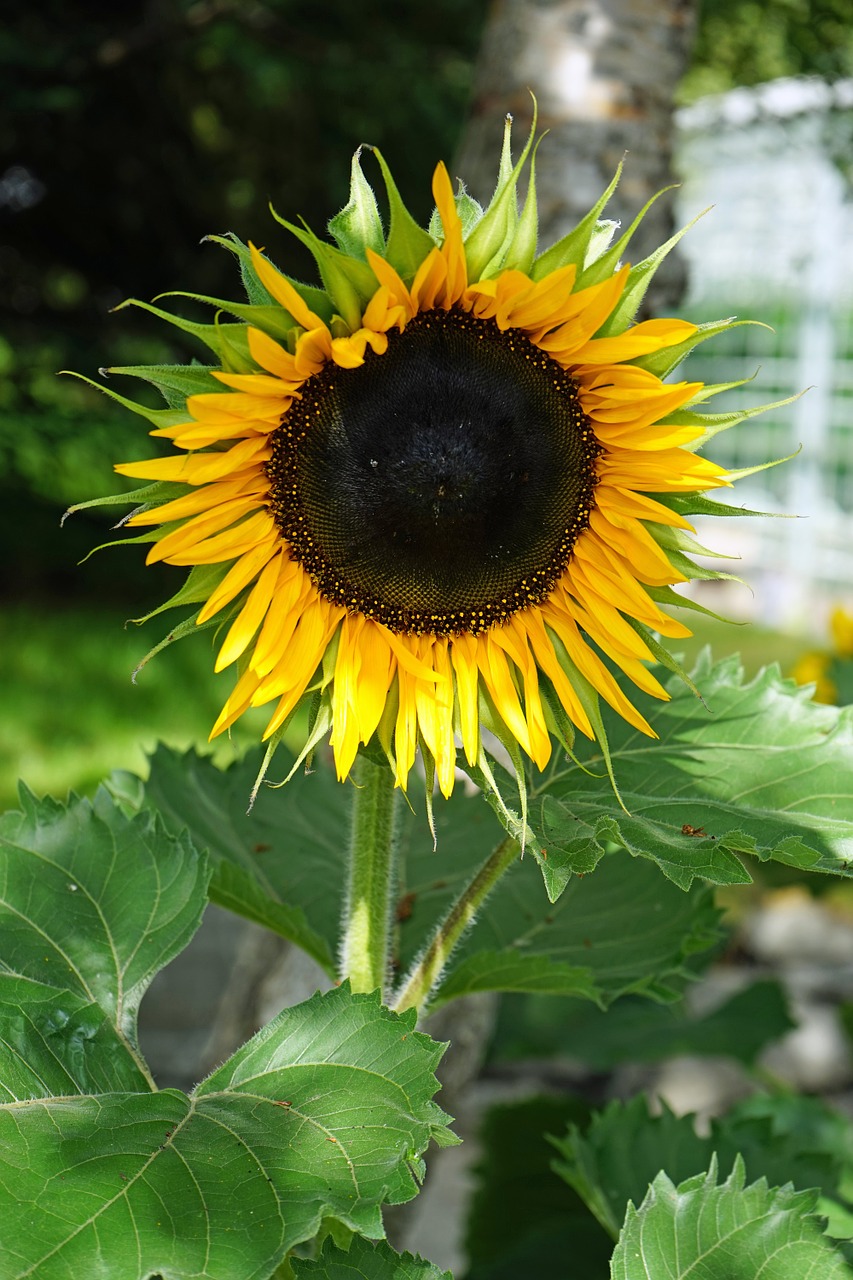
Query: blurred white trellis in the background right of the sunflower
[778, 248]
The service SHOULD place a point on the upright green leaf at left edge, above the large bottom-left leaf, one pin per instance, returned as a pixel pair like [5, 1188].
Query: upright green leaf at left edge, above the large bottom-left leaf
[81, 885]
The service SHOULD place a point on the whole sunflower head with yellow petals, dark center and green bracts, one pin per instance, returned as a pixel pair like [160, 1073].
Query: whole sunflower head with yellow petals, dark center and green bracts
[444, 493]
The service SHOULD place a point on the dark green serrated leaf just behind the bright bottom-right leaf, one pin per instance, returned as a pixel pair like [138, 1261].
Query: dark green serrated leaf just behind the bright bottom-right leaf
[623, 1150]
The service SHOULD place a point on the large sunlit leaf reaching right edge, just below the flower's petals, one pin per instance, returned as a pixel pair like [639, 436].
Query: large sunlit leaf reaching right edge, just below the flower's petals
[759, 771]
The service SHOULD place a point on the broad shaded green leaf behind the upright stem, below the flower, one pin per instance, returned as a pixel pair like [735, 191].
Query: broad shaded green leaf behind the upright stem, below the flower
[285, 866]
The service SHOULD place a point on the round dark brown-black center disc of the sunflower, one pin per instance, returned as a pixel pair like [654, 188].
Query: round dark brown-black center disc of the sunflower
[443, 486]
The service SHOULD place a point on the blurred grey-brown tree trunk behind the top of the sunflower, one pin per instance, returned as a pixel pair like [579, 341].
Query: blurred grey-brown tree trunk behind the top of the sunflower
[604, 74]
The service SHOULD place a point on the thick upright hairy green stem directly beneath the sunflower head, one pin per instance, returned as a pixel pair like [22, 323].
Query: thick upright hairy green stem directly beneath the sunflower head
[373, 847]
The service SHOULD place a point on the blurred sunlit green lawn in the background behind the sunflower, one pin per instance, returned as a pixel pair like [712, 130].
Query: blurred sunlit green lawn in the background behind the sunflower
[71, 714]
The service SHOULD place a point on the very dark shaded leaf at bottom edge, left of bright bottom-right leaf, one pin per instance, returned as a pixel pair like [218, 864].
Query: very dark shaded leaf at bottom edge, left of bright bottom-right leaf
[524, 1222]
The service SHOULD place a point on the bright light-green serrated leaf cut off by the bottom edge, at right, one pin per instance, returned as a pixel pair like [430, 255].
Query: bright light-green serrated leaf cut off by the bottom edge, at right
[701, 1231]
